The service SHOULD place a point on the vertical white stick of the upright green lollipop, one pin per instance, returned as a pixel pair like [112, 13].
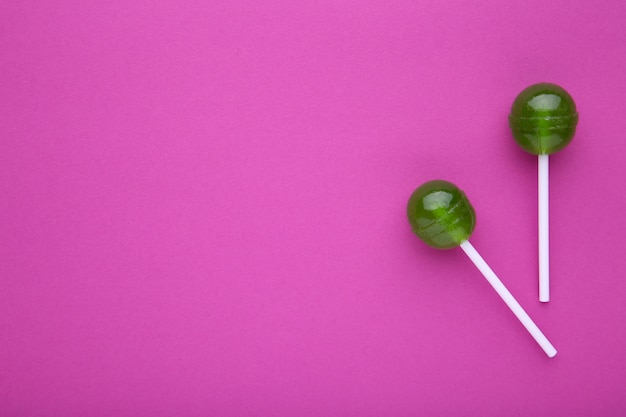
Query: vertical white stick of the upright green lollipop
[544, 229]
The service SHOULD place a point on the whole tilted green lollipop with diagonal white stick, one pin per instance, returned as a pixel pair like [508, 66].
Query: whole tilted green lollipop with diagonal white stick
[441, 215]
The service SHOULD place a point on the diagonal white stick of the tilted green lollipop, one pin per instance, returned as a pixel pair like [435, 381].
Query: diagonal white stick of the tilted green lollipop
[510, 301]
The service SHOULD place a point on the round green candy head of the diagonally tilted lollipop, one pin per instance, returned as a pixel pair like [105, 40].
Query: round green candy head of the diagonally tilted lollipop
[440, 214]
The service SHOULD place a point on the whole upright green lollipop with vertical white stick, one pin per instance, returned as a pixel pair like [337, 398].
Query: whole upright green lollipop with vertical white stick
[543, 120]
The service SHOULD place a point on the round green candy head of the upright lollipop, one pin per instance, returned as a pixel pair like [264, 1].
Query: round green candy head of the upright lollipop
[543, 119]
